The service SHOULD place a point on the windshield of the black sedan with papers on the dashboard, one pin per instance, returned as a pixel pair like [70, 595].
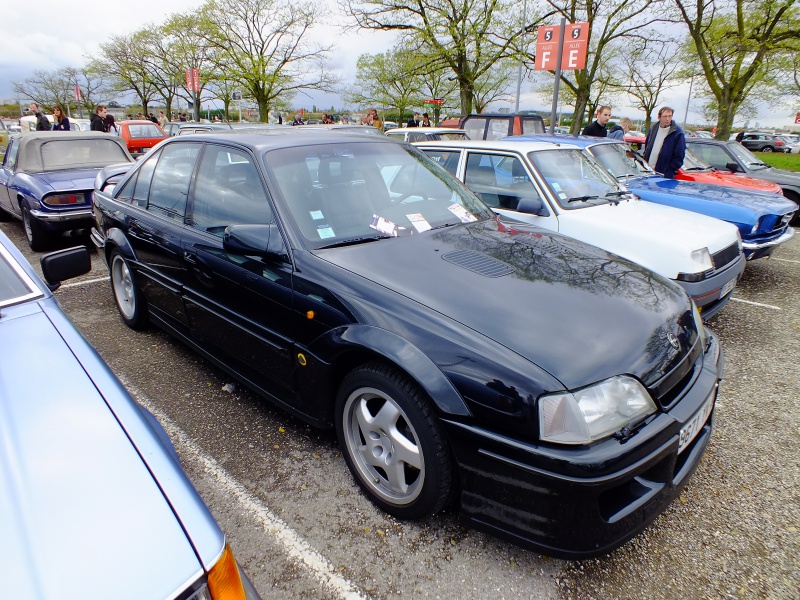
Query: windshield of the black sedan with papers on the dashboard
[357, 192]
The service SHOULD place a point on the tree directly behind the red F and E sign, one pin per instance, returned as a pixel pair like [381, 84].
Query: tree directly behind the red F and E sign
[610, 23]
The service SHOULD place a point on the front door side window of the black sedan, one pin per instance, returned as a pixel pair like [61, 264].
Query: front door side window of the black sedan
[228, 191]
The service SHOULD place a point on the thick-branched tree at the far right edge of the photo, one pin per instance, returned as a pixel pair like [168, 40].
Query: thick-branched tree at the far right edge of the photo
[735, 42]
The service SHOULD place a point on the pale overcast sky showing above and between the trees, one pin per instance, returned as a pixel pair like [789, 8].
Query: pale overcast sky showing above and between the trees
[47, 36]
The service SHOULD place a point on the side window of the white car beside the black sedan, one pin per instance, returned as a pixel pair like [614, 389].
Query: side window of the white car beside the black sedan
[500, 180]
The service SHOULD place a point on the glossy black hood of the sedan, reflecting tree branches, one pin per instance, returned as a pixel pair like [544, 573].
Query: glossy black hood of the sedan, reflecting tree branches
[574, 310]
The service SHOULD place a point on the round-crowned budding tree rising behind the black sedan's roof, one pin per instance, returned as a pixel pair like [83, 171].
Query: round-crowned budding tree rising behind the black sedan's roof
[263, 45]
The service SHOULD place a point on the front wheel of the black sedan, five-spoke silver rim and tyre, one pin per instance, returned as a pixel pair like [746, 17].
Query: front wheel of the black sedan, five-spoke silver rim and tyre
[392, 442]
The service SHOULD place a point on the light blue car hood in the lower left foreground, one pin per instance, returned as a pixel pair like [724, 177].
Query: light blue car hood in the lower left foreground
[80, 513]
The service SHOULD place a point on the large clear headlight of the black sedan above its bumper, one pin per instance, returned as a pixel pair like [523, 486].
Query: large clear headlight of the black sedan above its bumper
[595, 412]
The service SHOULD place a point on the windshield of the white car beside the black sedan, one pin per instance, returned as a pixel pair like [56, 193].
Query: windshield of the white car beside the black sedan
[575, 178]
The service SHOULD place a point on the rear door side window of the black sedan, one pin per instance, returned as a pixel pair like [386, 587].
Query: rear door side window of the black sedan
[169, 188]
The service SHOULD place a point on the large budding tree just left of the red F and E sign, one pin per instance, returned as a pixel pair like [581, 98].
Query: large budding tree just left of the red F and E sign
[467, 37]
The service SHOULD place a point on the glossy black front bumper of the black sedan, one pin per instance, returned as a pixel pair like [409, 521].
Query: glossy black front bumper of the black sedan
[583, 501]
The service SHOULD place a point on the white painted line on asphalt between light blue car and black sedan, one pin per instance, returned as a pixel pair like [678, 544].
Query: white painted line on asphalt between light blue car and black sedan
[295, 546]
